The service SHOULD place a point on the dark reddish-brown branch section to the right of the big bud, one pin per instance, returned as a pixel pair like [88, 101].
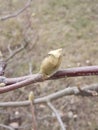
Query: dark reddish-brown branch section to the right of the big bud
[74, 72]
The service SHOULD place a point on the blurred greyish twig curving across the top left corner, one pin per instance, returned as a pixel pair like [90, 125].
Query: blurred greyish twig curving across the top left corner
[16, 13]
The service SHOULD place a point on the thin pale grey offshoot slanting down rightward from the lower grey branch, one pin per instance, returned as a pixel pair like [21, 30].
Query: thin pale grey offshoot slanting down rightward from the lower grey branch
[56, 114]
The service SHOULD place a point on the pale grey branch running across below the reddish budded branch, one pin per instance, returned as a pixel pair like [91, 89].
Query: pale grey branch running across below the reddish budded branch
[65, 92]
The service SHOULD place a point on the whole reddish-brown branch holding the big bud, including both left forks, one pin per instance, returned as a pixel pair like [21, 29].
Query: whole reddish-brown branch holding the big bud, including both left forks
[19, 82]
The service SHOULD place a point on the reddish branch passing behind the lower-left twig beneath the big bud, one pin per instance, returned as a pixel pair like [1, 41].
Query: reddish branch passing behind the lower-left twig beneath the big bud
[69, 72]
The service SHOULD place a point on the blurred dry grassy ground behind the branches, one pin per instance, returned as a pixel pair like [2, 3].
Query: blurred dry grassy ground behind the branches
[47, 25]
